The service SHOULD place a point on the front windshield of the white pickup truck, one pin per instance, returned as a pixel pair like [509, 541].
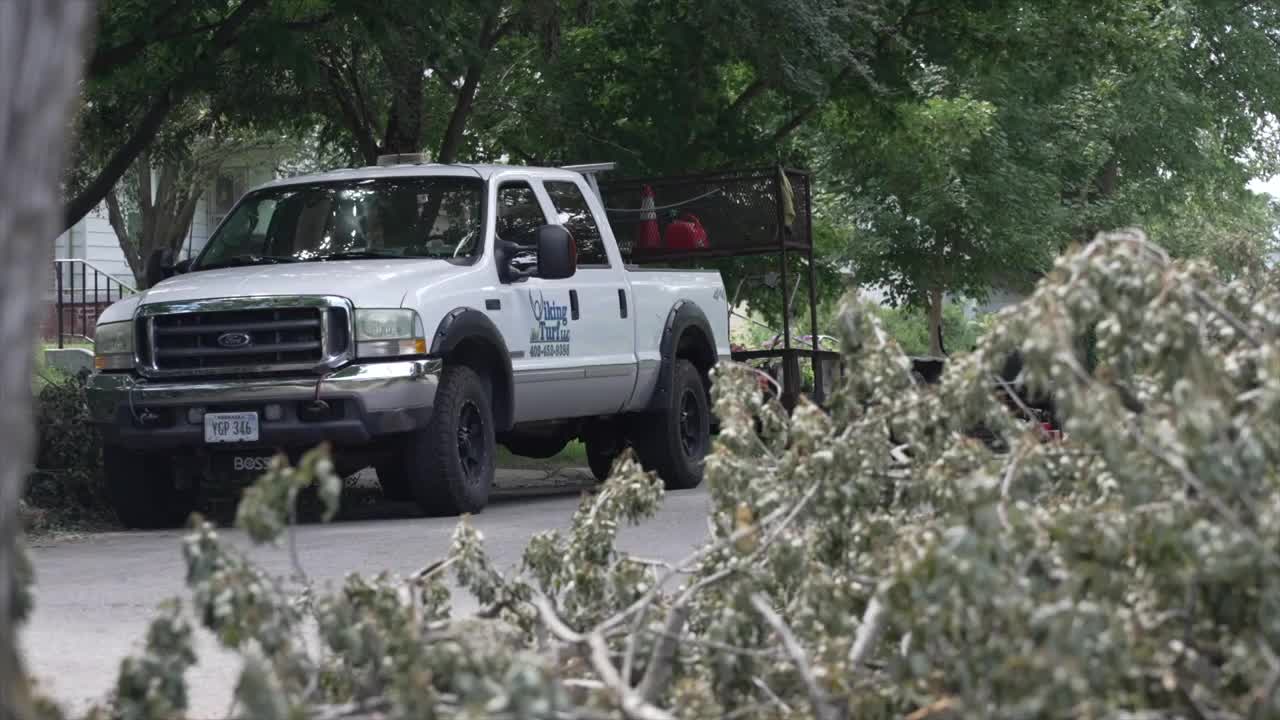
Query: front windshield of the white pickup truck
[339, 221]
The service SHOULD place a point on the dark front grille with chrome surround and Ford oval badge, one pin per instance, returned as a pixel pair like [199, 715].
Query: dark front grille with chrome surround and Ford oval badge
[260, 340]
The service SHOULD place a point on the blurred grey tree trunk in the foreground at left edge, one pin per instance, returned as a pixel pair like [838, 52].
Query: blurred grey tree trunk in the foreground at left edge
[42, 65]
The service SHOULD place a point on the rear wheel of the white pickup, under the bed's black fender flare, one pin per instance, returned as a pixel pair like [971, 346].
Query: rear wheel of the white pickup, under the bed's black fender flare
[675, 441]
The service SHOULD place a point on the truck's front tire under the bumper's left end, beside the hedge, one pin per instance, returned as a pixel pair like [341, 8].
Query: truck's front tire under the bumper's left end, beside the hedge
[143, 490]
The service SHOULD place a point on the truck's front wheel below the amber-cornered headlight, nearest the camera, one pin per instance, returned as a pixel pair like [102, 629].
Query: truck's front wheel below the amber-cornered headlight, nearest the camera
[450, 464]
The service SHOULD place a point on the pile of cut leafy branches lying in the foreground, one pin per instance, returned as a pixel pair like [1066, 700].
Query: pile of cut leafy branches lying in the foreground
[1123, 573]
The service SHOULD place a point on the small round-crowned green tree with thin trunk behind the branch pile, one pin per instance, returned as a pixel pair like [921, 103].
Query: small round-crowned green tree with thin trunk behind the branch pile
[944, 200]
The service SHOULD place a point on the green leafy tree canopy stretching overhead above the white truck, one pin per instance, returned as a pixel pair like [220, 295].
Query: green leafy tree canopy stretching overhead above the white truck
[958, 147]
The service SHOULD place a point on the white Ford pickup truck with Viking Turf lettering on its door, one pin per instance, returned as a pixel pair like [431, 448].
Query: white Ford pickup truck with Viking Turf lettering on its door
[414, 317]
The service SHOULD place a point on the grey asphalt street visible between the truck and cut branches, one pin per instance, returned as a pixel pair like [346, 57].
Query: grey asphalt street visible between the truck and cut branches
[95, 595]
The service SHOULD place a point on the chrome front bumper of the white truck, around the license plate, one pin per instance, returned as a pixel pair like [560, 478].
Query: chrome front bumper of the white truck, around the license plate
[365, 400]
